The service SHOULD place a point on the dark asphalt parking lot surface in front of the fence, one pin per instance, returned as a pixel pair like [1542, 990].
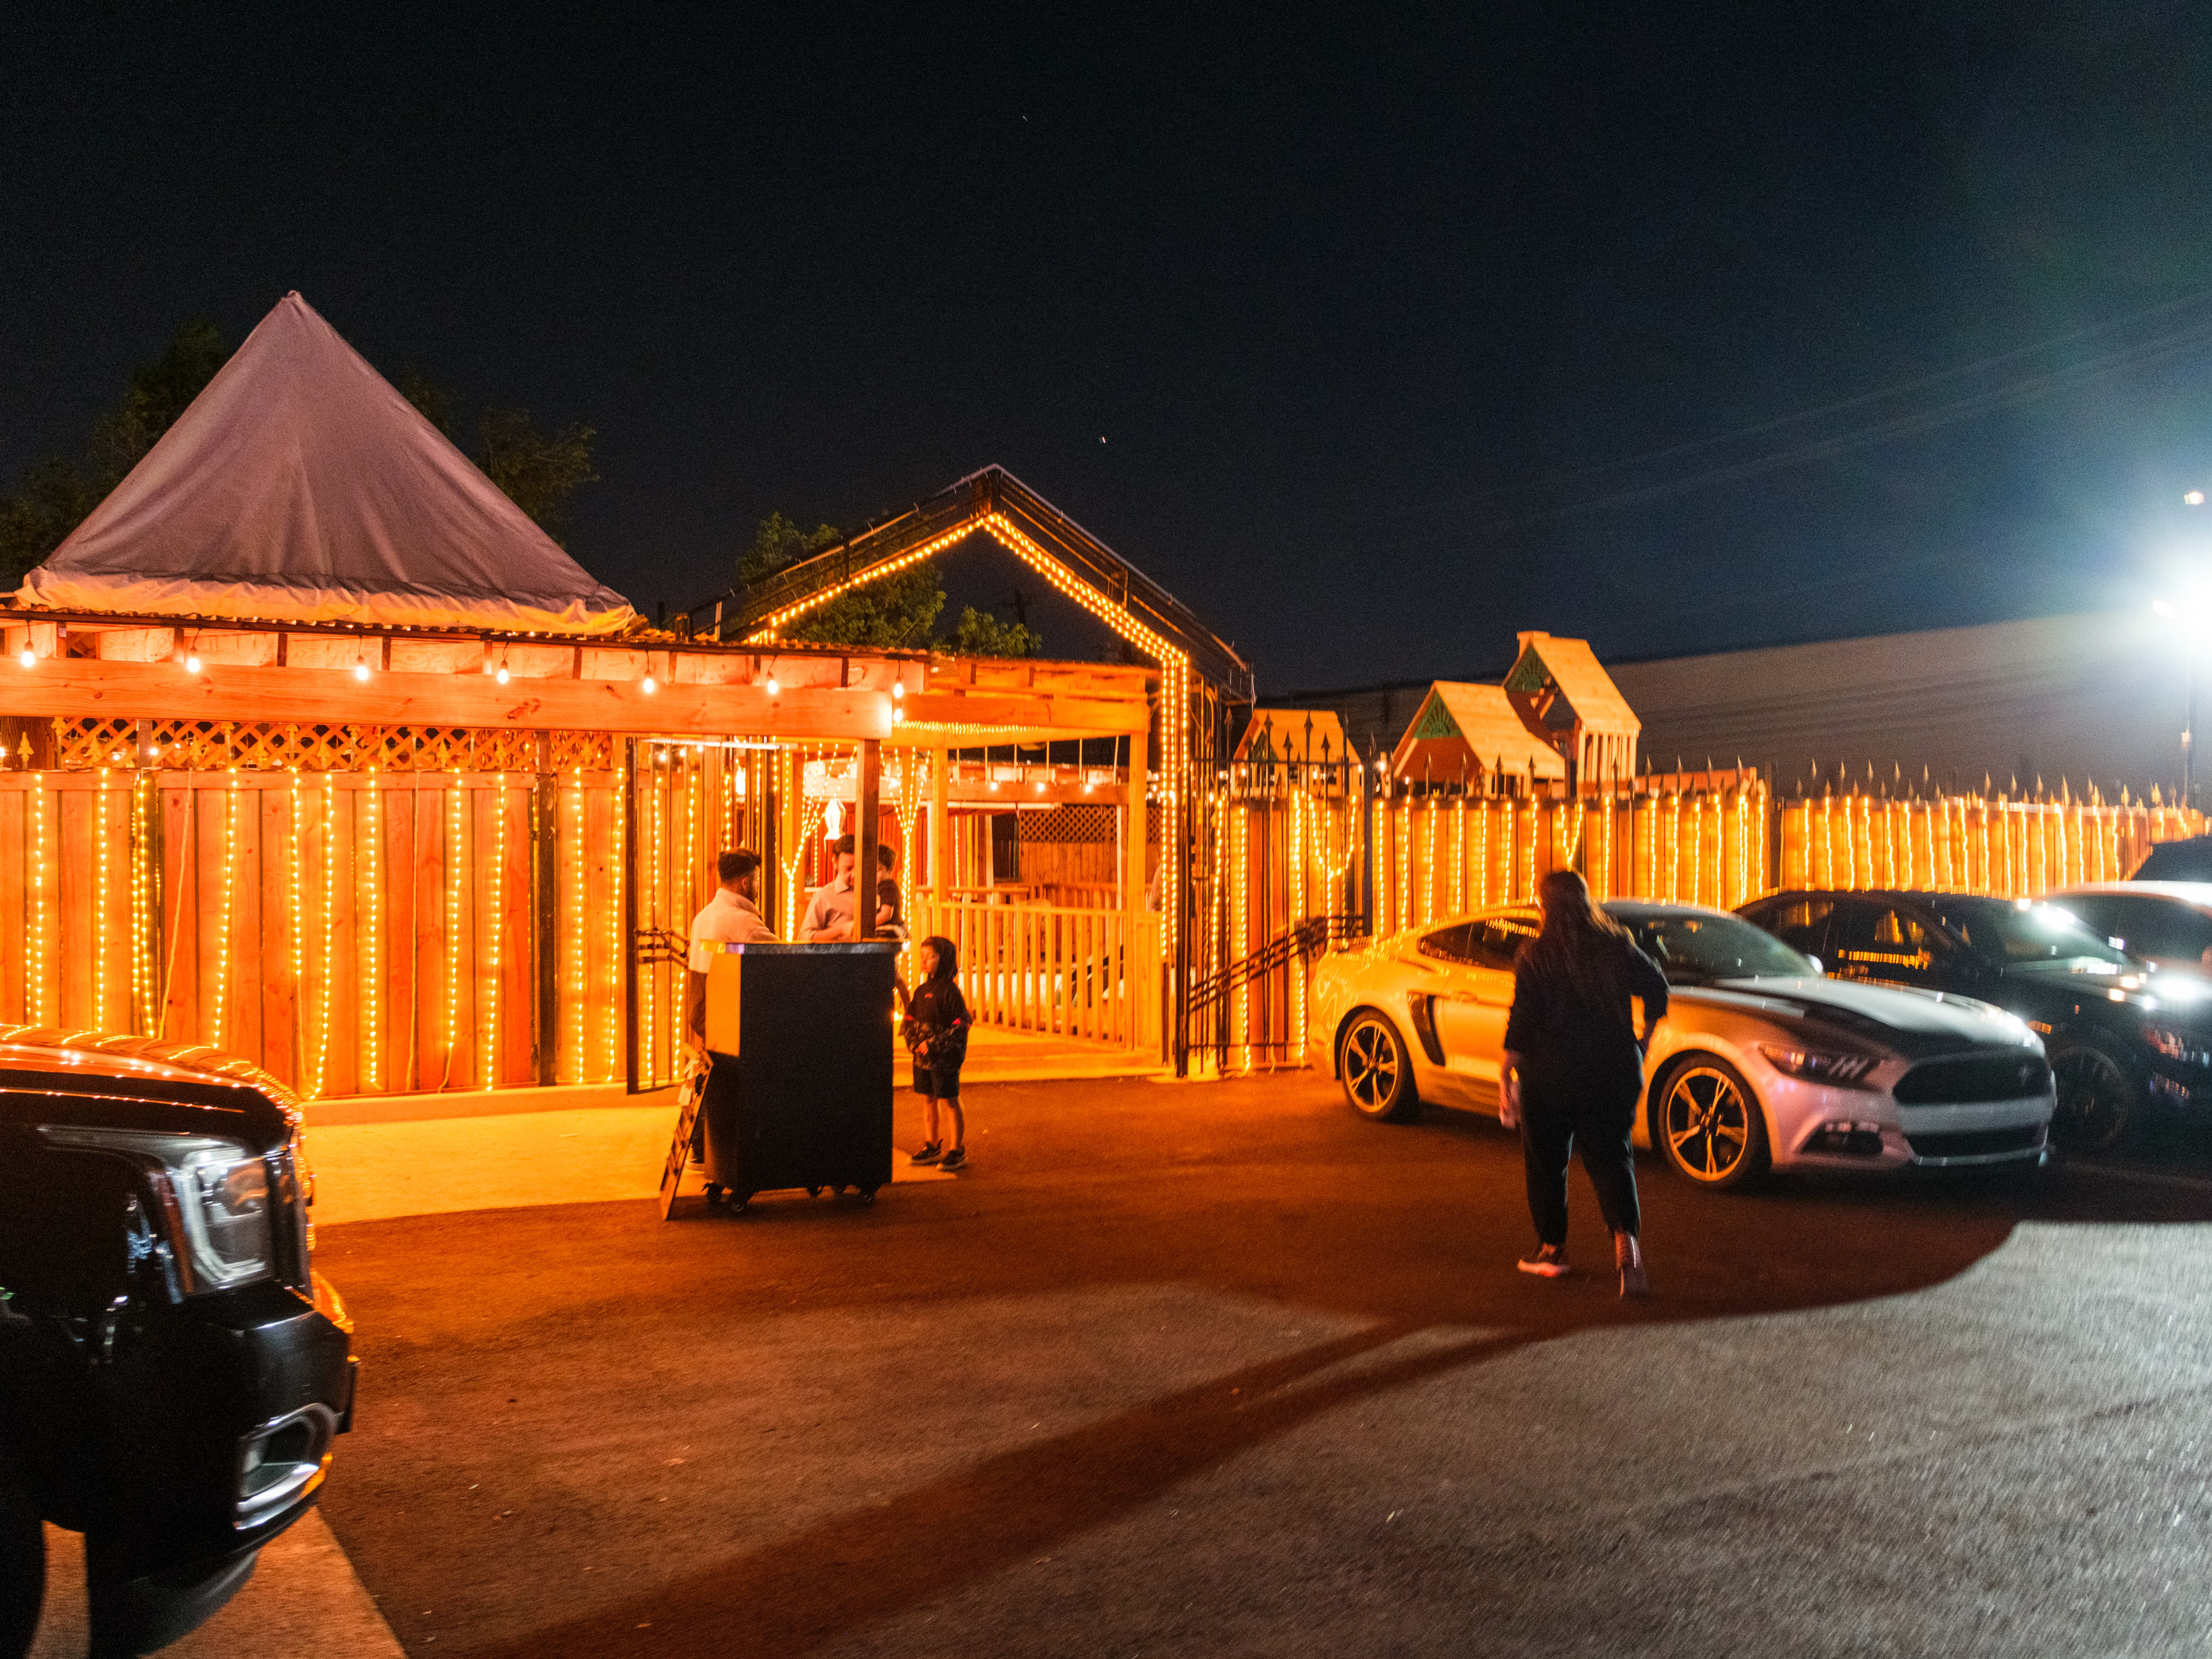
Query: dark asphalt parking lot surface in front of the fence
[1227, 1370]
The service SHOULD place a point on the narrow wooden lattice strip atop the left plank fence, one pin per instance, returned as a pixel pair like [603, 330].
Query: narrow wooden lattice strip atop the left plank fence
[220, 747]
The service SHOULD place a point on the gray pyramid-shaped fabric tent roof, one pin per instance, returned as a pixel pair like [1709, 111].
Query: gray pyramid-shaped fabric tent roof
[302, 488]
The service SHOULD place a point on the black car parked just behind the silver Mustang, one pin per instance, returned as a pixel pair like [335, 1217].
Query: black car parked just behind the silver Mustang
[2122, 1039]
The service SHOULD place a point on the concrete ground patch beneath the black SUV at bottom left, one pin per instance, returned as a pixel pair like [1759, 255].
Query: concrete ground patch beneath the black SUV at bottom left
[302, 1600]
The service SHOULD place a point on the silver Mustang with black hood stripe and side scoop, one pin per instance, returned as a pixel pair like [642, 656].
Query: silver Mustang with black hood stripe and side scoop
[1762, 1061]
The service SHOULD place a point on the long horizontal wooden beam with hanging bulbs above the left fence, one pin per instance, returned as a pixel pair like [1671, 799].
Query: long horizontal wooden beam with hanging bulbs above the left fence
[76, 687]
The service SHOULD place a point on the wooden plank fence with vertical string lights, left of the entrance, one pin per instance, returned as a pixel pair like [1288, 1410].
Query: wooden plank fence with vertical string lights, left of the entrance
[353, 932]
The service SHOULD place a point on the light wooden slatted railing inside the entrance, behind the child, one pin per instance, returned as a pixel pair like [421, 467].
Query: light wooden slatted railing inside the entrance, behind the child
[1061, 972]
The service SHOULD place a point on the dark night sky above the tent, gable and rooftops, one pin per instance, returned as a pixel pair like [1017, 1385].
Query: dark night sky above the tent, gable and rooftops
[1339, 328]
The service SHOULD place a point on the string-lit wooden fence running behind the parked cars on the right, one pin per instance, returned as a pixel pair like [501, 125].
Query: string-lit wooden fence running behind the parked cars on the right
[1282, 859]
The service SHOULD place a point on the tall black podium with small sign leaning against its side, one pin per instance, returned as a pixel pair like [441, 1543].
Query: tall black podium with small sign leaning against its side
[800, 1081]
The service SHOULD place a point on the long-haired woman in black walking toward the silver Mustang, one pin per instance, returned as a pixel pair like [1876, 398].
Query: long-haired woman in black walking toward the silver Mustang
[1574, 1070]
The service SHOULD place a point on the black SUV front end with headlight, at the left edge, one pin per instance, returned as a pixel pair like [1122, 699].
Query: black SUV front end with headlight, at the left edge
[171, 1368]
